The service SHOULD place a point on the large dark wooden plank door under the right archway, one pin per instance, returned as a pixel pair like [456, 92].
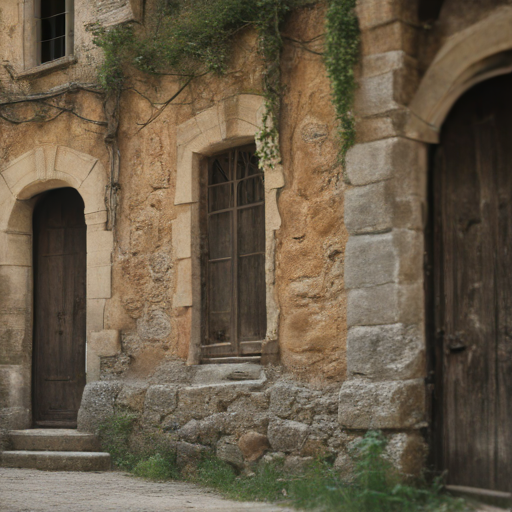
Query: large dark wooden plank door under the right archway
[472, 306]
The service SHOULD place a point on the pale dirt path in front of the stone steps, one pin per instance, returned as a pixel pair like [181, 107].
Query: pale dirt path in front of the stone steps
[27, 490]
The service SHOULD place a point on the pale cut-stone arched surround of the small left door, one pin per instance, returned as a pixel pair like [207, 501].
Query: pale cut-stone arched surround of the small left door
[41, 169]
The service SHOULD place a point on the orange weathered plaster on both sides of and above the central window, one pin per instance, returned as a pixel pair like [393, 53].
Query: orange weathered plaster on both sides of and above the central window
[311, 240]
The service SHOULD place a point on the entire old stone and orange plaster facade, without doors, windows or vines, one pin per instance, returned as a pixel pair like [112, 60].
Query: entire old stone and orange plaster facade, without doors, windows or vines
[346, 346]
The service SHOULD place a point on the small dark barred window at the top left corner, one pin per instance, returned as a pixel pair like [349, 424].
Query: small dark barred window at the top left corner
[54, 22]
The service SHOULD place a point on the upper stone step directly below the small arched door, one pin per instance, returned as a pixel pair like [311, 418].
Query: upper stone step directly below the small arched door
[53, 439]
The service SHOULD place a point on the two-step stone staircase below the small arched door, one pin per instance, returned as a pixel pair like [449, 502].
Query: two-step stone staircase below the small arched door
[54, 450]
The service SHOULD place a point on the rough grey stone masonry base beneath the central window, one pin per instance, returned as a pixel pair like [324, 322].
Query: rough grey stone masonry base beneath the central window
[241, 412]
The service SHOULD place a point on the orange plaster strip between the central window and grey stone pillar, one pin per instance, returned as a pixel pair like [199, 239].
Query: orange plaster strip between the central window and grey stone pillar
[311, 242]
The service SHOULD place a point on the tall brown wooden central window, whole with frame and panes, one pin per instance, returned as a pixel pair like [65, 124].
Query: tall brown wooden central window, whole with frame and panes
[234, 291]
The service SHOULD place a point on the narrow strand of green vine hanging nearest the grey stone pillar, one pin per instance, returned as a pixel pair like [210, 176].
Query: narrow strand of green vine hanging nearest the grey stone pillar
[341, 56]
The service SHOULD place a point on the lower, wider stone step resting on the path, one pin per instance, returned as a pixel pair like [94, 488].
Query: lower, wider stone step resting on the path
[56, 461]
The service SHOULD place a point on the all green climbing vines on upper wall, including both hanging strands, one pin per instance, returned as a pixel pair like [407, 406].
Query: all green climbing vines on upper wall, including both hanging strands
[190, 38]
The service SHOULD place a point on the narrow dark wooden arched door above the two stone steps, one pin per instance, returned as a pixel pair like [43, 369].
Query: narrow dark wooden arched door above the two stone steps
[59, 308]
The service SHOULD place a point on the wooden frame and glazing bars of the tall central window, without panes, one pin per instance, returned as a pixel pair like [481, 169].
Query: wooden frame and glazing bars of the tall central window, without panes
[236, 349]
